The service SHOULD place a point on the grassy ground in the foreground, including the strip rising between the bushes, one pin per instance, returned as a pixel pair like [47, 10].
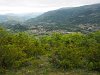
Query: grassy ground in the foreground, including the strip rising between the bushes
[46, 69]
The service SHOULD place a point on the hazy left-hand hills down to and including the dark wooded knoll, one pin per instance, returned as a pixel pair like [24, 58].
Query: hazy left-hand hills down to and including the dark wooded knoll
[15, 21]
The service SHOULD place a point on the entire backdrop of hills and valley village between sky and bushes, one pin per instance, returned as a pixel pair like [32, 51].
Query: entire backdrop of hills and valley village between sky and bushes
[83, 19]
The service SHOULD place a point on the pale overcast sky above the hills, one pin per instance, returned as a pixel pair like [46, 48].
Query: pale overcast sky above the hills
[25, 6]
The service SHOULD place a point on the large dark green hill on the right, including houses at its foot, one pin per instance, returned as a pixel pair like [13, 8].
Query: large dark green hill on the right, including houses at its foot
[83, 18]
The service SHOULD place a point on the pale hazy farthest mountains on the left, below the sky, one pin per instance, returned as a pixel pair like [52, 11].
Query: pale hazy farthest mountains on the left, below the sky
[17, 17]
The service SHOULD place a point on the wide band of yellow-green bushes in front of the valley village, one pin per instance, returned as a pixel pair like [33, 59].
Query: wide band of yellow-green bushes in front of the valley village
[63, 51]
